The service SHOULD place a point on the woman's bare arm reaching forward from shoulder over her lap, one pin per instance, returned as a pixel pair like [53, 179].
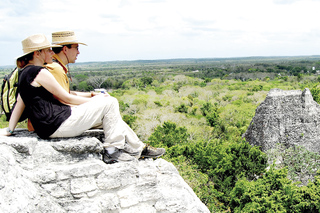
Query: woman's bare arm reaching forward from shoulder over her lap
[46, 79]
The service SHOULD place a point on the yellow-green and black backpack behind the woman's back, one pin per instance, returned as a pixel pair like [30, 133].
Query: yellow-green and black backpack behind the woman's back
[9, 93]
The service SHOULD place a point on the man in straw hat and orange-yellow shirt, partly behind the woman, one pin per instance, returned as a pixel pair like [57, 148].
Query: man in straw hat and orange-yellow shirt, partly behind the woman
[68, 54]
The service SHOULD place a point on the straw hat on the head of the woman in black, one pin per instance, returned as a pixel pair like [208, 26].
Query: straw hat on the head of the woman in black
[34, 43]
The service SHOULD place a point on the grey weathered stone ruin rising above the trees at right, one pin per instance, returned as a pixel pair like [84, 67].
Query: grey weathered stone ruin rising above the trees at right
[286, 117]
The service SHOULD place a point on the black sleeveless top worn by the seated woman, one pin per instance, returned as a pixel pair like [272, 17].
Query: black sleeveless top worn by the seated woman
[44, 111]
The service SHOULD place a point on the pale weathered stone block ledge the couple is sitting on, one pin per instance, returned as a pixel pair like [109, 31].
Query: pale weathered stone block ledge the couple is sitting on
[67, 175]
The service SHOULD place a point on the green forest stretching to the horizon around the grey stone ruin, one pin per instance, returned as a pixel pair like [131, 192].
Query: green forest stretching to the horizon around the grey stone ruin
[198, 110]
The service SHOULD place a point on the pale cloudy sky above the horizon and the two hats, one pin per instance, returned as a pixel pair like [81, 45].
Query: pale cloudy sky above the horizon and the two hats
[165, 29]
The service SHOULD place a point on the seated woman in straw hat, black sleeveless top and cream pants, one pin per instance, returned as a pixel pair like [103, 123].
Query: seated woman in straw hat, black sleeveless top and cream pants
[39, 93]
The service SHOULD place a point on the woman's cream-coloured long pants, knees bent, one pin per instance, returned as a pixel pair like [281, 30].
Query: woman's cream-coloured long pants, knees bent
[100, 112]
